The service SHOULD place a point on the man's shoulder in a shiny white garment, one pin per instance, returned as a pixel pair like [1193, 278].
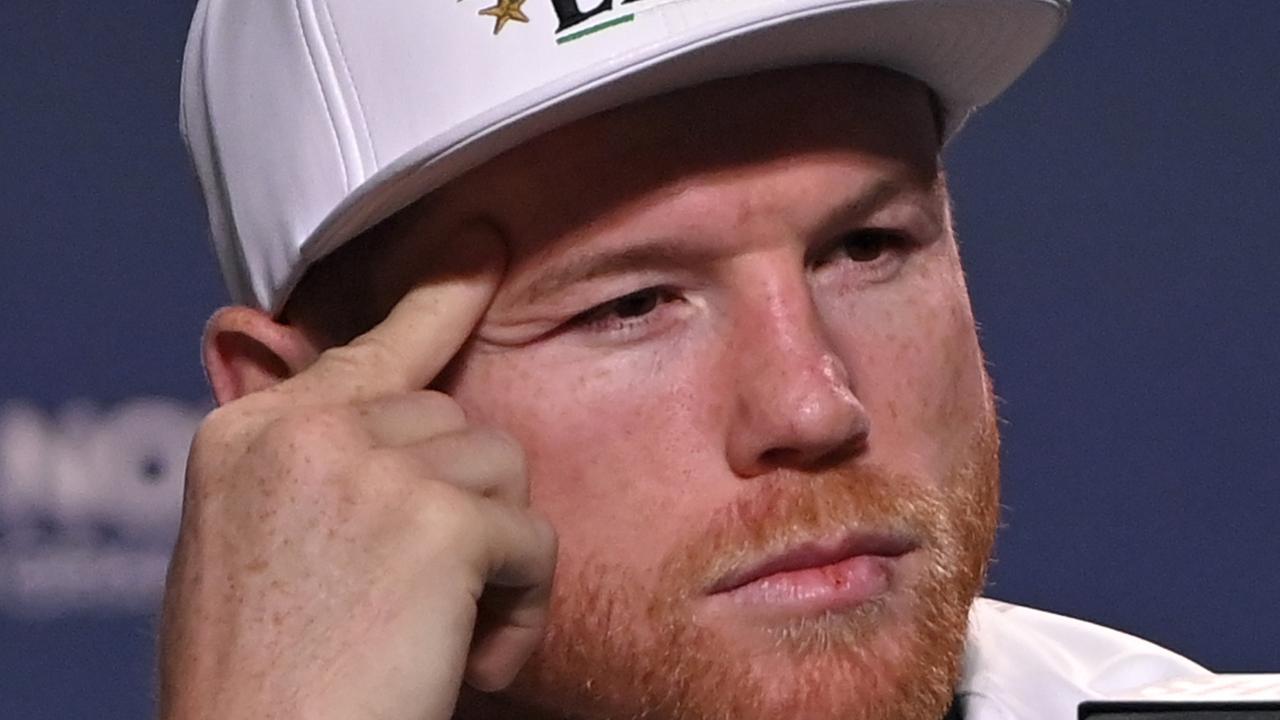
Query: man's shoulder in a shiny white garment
[1025, 663]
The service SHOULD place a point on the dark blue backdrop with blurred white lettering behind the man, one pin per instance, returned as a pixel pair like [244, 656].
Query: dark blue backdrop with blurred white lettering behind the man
[1118, 211]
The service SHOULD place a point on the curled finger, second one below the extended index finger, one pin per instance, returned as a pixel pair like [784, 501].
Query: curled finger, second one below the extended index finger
[486, 462]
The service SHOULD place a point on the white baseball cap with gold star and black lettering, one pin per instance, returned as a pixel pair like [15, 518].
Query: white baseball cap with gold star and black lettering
[312, 121]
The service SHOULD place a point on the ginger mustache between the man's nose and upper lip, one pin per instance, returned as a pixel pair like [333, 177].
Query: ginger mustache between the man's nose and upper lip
[789, 509]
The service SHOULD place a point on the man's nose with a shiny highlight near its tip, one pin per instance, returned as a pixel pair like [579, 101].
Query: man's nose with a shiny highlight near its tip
[794, 402]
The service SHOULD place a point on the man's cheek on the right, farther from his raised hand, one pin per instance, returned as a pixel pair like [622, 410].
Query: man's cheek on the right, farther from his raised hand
[915, 362]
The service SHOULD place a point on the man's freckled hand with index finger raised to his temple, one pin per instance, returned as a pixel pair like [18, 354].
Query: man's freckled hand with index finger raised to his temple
[342, 531]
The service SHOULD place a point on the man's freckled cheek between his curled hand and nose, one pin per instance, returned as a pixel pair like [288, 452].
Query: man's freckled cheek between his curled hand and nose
[615, 444]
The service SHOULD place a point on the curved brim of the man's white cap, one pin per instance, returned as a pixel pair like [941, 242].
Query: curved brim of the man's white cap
[968, 53]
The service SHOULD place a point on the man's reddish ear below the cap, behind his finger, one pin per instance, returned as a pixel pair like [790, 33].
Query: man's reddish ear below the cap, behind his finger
[246, 350]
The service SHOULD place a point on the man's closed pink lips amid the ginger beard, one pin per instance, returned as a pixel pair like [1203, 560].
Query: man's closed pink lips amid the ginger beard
[819, 576]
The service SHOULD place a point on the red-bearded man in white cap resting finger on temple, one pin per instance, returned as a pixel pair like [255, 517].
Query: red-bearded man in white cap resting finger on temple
[706, 432]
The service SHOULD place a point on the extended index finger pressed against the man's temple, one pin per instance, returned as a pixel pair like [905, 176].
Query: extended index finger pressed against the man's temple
[424, 330]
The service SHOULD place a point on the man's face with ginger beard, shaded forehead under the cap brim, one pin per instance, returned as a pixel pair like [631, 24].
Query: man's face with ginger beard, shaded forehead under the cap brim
[735, 341]
